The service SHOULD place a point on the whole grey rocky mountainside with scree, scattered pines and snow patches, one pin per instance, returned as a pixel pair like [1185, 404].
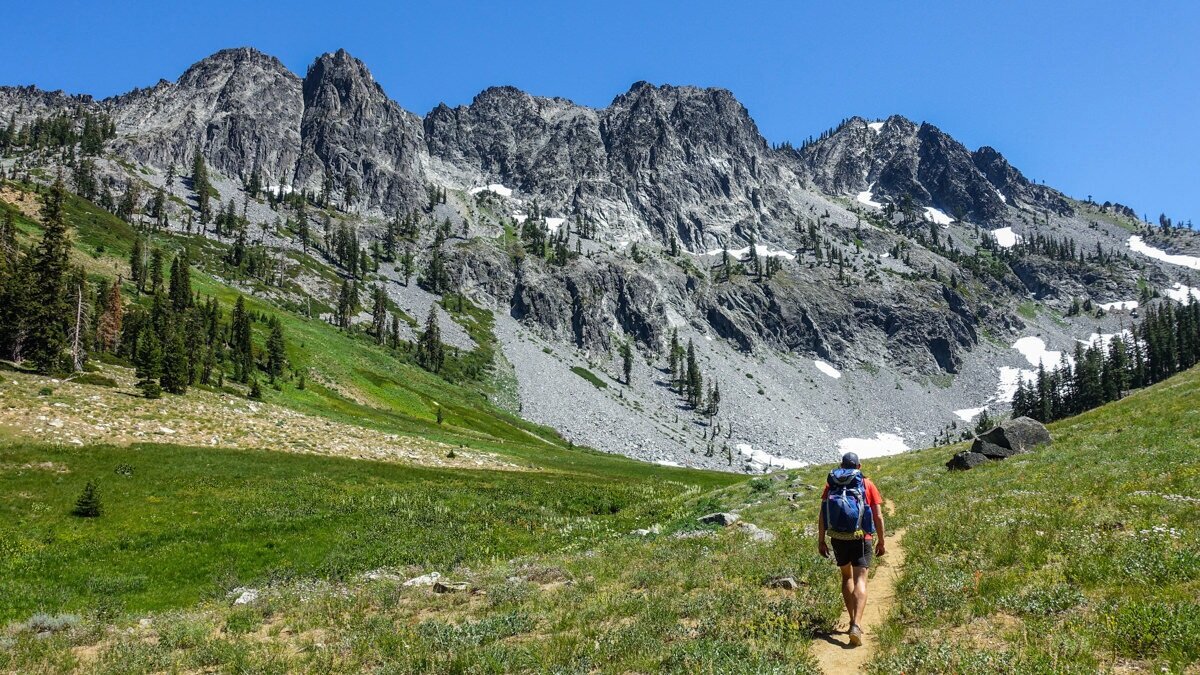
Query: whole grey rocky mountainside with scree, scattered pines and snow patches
[878, 286]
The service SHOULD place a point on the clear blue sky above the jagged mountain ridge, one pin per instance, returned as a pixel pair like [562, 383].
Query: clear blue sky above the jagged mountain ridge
[1095, 98]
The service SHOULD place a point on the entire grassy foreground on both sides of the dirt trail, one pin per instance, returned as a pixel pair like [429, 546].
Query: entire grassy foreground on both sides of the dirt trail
[1081, 557]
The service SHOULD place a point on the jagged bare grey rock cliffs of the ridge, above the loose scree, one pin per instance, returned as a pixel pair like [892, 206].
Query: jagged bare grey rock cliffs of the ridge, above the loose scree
[661, 166]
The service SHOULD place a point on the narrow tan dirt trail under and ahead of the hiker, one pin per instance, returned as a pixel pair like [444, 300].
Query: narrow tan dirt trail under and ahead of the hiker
[833, 650]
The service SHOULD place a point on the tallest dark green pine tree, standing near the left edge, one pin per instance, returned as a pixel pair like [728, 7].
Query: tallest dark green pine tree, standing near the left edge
[51, 303]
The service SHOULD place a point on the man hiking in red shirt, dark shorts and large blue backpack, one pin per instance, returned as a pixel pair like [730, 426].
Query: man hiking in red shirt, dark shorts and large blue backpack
[853, 516]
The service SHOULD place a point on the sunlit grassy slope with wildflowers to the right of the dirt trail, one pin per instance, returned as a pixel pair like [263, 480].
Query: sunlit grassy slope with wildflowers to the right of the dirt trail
[1081, 558]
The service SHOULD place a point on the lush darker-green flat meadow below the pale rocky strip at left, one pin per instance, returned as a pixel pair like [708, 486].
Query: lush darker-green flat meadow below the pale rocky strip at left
[193, 523]
